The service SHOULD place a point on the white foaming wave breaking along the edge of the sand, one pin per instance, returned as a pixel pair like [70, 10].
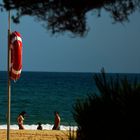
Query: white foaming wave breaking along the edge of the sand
[34, 127]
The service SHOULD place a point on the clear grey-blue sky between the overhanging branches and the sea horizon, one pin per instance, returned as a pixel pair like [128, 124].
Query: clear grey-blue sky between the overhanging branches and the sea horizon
[115, 47]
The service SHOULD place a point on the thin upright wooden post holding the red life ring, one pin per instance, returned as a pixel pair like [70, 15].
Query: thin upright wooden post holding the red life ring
[9, 82]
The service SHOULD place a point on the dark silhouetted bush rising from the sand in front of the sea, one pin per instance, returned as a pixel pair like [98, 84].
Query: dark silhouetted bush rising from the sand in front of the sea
[113, 115]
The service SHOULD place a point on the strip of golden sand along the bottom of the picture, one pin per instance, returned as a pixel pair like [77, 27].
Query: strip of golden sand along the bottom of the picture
[35, 135]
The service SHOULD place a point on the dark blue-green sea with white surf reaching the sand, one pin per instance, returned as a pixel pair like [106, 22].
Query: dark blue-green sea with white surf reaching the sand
[42, 93]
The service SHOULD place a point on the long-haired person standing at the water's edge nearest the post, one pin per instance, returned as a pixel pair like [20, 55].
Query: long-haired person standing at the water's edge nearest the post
[20, 119]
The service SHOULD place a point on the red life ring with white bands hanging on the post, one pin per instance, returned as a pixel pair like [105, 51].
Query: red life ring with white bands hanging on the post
[16, 55]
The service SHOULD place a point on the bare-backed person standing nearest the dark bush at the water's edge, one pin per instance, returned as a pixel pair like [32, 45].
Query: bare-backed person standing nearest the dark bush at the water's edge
[56, 121]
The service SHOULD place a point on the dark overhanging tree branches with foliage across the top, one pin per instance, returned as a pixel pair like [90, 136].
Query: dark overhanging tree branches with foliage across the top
[70, 15]
